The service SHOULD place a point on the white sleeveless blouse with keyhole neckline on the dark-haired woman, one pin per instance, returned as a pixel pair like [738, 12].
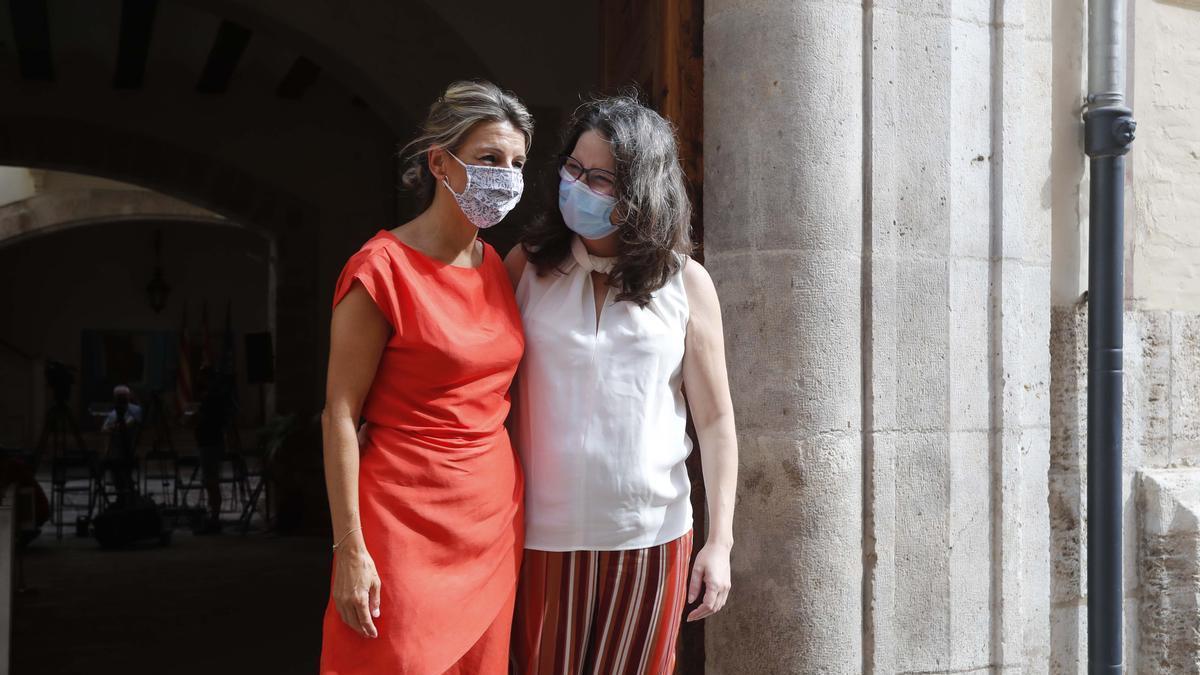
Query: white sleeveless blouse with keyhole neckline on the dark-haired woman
[601, 414]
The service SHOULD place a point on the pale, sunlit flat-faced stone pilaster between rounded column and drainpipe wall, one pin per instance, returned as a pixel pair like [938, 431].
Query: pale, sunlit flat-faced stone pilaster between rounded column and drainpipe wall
[957, 324]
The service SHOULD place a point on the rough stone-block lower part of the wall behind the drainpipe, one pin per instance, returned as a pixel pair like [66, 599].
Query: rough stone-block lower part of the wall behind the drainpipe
[1162, 387]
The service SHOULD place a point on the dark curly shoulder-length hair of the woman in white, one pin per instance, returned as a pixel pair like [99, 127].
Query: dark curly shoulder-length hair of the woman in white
[652, 199]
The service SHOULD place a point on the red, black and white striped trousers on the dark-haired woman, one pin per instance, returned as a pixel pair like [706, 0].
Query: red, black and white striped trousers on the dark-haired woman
[601, 613]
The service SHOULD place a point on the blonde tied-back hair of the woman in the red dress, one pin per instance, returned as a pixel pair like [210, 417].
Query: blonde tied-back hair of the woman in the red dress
[452, 118]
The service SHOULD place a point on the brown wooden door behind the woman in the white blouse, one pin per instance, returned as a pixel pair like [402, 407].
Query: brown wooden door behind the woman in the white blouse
[658, 47]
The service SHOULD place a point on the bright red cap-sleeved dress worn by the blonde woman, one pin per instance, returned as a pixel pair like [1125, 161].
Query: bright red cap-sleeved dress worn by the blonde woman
[441, 488]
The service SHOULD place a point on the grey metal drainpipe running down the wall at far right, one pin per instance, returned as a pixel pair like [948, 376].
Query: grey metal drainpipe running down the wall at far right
[1108, 132]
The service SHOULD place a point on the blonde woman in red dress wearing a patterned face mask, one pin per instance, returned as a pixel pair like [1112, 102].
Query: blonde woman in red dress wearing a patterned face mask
[425, 342]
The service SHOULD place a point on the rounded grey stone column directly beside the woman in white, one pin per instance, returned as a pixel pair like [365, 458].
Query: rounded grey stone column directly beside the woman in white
[784, 237]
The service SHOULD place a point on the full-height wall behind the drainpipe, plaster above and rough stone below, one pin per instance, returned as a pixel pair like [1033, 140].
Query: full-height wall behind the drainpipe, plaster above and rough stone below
[1162, 359]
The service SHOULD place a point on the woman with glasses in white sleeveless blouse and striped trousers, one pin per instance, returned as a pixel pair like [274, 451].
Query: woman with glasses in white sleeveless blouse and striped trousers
[619, 324]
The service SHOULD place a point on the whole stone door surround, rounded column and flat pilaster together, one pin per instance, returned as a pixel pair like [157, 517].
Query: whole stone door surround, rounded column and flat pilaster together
[878, 223]
